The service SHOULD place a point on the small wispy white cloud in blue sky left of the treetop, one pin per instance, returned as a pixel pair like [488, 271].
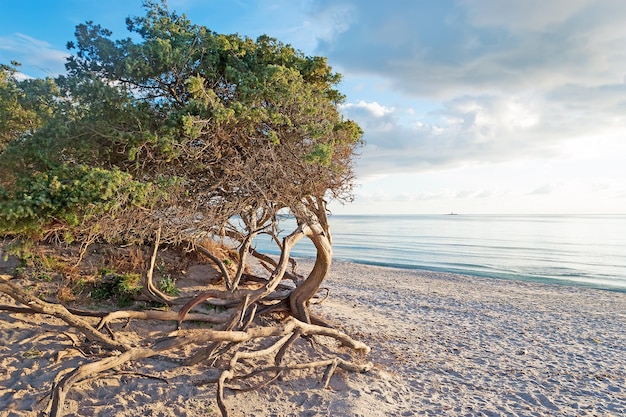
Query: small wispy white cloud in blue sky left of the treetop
[36, 56]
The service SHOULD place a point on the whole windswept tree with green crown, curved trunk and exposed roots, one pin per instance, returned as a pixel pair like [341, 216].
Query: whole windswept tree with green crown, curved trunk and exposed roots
[186, 135]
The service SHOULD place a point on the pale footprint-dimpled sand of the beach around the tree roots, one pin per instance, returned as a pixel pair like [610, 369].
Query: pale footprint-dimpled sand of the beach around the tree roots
[443, 344]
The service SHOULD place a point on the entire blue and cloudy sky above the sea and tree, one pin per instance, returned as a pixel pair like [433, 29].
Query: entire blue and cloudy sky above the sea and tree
[468, 106]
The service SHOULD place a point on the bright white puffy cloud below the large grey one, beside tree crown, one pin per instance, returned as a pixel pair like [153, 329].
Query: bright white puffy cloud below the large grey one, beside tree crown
[465, 130]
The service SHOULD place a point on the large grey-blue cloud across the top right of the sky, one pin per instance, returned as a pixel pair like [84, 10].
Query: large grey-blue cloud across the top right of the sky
[440, 48]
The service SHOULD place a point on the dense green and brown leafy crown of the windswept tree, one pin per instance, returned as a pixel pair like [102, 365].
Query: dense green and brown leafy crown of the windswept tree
[175, 118]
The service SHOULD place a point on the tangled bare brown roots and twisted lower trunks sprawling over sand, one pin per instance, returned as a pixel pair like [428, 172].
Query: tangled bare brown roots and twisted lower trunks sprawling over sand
[249, 350]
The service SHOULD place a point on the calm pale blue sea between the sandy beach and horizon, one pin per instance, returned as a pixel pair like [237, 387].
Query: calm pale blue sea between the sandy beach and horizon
[587, 250]
